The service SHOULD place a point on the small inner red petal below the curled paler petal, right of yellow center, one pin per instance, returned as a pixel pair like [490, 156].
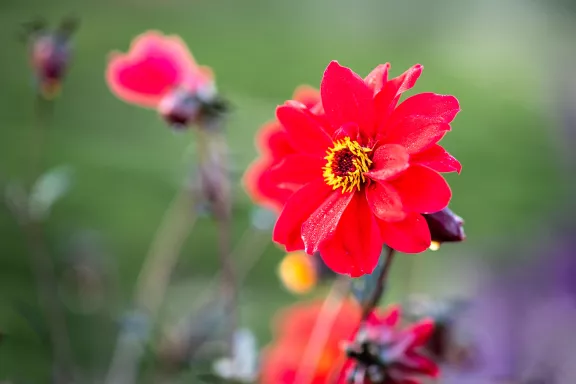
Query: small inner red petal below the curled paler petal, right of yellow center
[384, 201]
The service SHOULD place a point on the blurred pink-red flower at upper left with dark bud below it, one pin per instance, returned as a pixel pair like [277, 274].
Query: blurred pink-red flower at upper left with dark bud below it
[160, 72]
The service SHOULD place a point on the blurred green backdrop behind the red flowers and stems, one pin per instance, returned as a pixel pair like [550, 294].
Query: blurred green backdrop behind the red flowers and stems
[502, 60]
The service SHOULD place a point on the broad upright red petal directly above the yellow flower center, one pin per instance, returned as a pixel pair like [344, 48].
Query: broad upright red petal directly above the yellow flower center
[347, 99]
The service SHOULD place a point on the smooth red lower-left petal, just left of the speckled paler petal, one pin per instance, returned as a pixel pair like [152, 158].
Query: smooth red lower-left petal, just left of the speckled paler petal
[297, 210]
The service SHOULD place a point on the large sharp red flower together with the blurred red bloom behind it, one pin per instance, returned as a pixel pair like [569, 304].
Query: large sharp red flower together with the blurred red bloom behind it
[356, 170]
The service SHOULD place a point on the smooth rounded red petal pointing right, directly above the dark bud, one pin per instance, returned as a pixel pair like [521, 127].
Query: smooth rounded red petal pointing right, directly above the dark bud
[422, 190]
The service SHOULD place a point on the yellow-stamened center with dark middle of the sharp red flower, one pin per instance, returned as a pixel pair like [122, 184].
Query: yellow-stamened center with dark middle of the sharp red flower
[346, 163]
